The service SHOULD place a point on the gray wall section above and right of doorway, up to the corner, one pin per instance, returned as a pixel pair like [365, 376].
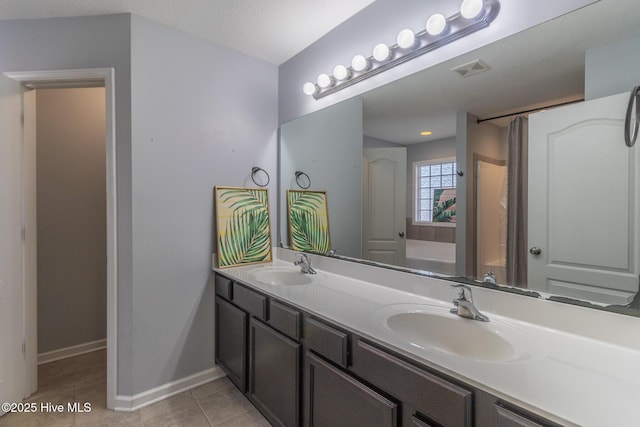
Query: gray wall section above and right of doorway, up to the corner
[89, 42]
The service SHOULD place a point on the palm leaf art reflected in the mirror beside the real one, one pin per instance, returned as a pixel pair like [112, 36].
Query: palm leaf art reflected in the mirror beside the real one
[308, 219]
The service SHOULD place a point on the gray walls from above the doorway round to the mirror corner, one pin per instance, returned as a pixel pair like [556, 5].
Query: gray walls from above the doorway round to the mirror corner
[199, 116]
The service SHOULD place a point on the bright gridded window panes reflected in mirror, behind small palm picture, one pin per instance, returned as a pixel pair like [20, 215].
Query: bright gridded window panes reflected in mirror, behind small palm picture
[430, 176]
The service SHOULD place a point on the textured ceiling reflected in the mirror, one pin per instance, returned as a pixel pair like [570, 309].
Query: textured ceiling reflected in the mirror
[541, 66]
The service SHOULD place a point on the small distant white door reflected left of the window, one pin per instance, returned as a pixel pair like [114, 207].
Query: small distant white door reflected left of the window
[384, 205]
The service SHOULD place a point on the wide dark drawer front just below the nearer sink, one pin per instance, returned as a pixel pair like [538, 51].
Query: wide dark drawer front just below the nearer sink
[434, 397]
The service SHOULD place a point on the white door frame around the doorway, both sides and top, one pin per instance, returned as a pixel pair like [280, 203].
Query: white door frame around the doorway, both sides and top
[65, 79]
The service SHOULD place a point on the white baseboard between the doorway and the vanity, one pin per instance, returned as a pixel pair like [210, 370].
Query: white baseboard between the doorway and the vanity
[133, 403]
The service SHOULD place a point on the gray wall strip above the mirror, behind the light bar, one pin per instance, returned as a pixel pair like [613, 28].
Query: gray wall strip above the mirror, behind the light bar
[380, 22]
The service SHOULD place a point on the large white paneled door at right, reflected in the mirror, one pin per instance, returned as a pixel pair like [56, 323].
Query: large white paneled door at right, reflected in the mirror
[583, 202]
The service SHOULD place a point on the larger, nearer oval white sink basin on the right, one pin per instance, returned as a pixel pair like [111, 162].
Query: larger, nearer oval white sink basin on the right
[435, 328]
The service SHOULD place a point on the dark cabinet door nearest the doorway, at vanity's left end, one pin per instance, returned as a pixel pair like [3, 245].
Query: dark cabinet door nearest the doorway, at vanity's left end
[231, 339]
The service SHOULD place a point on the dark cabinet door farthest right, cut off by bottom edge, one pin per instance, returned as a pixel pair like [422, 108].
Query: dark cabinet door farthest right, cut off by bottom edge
[334, 398]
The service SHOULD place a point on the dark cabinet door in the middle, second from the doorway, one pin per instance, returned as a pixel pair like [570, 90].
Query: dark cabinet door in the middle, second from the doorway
[274, 374]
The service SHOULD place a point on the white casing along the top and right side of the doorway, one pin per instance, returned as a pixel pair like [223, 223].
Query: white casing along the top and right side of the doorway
[63, 77]
